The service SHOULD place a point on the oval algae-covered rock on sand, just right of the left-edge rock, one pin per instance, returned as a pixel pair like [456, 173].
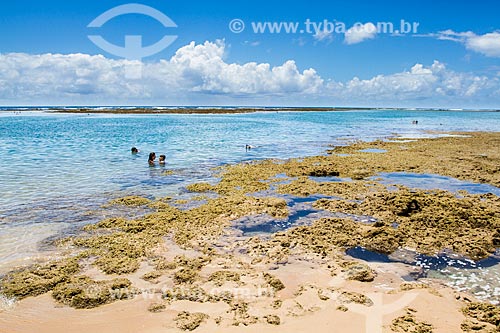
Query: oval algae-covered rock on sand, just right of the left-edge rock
[82, 292]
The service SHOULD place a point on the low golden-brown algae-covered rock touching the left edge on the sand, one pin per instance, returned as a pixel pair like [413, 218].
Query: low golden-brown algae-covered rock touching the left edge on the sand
[38, 279]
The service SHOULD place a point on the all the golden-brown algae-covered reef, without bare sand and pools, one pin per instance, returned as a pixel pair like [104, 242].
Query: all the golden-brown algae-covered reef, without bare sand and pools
[428, 220]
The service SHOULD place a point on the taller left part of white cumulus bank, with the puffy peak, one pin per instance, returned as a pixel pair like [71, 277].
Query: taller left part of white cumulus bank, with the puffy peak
[193, 68]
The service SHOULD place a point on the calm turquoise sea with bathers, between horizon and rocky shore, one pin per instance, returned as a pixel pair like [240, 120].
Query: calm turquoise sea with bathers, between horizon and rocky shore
[55, 167]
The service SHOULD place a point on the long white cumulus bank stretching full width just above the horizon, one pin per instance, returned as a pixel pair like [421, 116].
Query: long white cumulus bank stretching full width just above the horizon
[199, 73]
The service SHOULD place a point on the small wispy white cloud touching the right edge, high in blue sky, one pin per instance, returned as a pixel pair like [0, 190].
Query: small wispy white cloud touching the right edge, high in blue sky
[487, 44]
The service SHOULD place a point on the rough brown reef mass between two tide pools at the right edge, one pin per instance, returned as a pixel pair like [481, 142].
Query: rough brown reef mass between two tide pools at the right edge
[428, 221]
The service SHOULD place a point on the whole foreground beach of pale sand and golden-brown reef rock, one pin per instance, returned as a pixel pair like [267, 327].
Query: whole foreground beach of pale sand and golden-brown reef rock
[183, 266]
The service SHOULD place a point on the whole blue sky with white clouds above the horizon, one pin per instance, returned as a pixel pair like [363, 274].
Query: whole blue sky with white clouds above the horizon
[335, 53]
